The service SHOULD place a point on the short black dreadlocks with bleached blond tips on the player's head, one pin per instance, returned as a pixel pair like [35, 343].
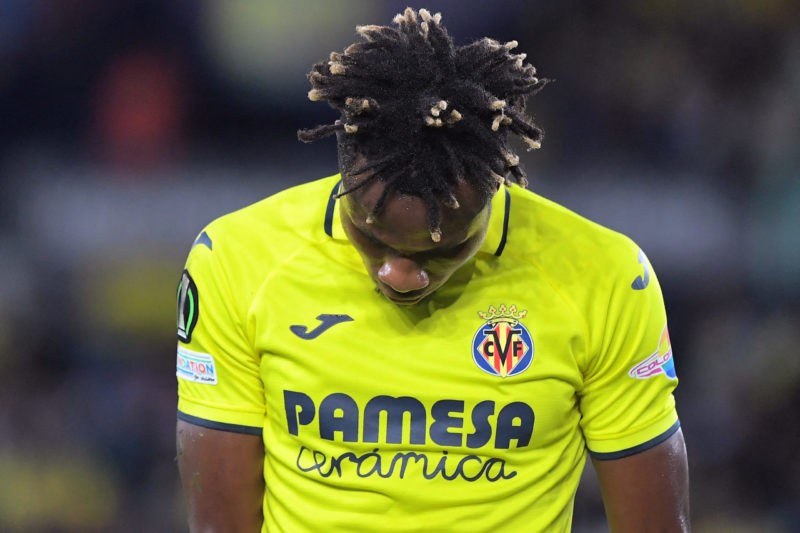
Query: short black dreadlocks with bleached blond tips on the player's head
[419, 113]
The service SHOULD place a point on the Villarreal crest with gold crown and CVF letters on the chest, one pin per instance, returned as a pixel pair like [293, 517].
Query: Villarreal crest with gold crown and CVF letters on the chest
[502, 345]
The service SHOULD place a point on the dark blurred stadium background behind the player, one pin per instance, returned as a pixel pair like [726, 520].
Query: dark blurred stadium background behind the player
[125, 126]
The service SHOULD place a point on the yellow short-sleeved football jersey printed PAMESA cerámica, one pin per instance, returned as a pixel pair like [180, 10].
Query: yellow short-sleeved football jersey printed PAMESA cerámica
[471, 411]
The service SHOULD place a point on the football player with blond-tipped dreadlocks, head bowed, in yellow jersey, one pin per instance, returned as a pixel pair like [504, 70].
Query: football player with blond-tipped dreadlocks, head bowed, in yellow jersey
[420, 343]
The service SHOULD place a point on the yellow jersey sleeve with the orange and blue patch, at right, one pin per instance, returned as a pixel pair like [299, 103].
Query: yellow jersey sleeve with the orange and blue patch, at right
[627, 403]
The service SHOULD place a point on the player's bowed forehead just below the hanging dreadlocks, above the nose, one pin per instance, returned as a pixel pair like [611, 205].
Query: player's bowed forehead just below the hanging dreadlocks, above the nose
[404, 222]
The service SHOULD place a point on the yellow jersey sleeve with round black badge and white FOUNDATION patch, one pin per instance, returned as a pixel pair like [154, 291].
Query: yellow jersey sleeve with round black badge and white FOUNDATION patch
[219, 383]
